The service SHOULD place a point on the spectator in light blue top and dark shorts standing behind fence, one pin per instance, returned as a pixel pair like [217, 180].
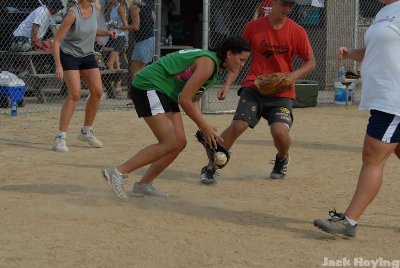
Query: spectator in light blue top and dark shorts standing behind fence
[116, 18]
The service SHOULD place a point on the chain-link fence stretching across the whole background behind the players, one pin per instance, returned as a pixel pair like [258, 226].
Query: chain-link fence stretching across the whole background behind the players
[329, 24]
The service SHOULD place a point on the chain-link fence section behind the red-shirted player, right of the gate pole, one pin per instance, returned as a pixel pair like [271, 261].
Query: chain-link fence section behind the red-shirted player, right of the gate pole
[329, 25]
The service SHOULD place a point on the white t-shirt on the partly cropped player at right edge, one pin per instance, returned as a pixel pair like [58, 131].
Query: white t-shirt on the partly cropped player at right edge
[381, 65]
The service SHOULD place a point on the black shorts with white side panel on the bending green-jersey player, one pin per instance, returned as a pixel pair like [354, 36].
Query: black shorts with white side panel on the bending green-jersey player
[152, 102]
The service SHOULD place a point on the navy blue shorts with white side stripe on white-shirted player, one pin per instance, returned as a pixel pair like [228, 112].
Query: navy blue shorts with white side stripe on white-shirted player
[384, 127]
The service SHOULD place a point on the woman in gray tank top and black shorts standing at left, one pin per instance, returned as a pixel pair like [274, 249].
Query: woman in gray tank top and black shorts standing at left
[74, 56]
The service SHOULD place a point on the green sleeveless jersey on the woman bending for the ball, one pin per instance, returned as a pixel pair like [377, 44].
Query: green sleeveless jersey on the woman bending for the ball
[160, 75]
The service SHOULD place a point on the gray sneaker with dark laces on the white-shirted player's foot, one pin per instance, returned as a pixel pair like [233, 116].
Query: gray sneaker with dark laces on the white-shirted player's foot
[337, 225]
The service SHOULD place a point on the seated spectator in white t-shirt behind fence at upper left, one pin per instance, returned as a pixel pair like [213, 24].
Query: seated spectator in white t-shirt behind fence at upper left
[30, 32]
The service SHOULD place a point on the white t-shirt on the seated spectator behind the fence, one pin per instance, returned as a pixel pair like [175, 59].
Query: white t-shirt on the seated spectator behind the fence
[40, 16]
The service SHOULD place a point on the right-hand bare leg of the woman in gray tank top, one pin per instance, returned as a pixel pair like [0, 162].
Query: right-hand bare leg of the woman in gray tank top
[93, 80]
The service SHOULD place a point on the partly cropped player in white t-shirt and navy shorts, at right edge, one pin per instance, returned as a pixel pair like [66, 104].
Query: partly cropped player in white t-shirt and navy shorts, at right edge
[381, 96]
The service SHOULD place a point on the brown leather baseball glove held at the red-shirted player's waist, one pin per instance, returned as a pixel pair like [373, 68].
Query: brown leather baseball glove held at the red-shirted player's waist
[274, 83]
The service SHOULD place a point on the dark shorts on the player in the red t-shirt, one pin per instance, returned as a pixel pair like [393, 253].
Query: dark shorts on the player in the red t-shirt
[253, 105]
